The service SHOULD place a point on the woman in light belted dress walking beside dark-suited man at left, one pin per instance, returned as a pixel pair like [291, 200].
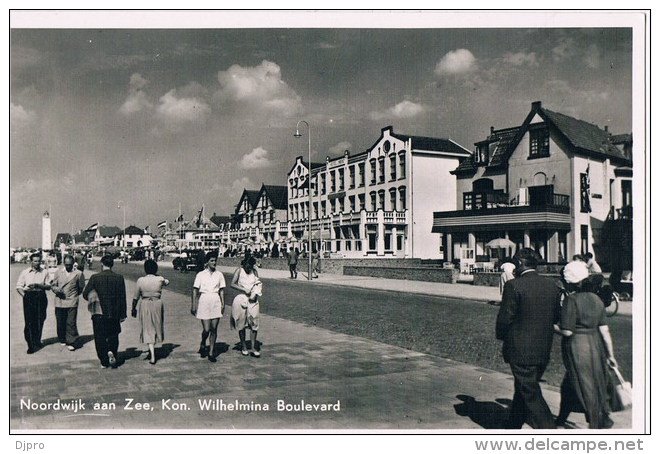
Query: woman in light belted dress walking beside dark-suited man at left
[148, 290]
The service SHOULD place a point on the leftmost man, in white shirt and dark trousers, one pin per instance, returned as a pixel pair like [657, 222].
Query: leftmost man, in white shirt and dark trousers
[32, 285]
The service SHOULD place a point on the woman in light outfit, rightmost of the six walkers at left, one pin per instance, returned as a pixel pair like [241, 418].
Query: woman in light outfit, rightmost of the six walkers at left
[245, 307]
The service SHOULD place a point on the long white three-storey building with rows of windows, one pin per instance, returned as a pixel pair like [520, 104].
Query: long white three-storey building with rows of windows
[377, 203]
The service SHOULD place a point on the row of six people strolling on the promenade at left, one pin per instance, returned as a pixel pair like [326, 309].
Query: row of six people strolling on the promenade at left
[105, 293]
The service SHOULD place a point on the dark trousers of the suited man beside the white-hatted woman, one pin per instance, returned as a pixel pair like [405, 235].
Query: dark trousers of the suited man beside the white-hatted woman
[528, 405]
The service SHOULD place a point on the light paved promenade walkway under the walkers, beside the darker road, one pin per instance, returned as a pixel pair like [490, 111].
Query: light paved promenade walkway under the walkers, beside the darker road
[367, 385]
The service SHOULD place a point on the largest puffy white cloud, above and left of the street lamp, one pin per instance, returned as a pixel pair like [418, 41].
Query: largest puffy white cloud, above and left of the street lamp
[258, 87]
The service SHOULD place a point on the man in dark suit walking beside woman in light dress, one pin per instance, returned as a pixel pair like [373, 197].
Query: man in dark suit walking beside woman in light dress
[108, 288]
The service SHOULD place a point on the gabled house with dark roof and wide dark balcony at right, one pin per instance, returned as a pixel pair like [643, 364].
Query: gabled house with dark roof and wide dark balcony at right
[551, 183]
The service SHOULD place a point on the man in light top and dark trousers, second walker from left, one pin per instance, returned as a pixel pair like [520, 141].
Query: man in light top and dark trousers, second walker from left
[68, 285]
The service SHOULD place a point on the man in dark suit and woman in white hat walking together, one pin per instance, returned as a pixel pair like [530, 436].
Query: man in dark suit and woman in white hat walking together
[534, 309]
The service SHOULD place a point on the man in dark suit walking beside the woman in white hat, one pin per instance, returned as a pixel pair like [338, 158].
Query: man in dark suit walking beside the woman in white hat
[530, 307]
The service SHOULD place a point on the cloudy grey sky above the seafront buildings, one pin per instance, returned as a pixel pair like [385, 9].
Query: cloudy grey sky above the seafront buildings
[107, 121]
